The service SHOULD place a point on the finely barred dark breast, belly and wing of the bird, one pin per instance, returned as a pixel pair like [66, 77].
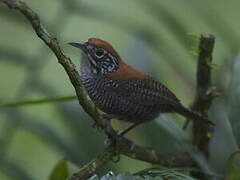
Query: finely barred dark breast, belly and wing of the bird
[130, 100]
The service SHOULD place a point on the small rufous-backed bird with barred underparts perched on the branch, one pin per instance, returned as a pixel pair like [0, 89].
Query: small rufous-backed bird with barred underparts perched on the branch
[123, 92]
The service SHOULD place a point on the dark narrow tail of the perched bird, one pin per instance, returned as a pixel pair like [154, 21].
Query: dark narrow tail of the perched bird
[194, 116]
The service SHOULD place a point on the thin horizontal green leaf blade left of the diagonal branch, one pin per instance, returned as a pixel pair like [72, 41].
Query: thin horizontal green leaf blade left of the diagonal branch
[40, 101]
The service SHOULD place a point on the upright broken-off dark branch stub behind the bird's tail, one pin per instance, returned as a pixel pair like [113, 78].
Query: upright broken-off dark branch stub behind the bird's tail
[205, 92]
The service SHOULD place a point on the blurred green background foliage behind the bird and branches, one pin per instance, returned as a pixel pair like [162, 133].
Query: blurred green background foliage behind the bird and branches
[158, 37]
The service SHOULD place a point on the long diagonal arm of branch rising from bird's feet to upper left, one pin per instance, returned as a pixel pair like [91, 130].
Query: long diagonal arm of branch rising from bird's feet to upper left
[65, 61]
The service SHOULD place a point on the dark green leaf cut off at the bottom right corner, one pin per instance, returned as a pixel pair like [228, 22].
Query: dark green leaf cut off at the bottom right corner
[233, 166]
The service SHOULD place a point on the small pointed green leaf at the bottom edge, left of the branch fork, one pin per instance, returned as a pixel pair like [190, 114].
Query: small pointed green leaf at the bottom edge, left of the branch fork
[60, 171]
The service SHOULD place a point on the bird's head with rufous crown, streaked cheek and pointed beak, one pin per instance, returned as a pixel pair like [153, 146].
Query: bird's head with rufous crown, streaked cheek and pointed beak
[101, 55]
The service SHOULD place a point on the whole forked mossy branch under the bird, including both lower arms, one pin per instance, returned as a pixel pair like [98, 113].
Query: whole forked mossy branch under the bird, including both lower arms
[124, 145]
